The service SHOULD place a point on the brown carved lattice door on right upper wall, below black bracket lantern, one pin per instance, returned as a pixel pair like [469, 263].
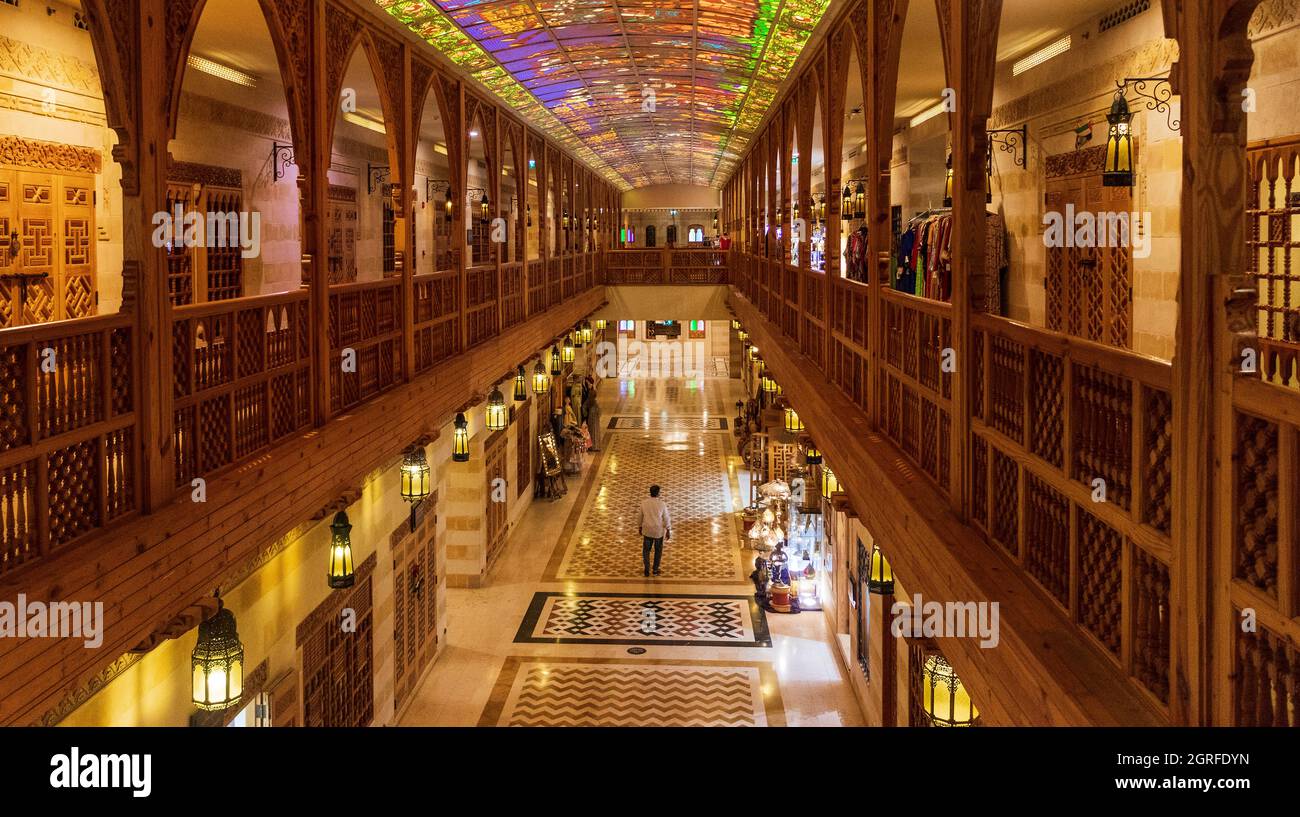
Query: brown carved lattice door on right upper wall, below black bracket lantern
[1089, 289]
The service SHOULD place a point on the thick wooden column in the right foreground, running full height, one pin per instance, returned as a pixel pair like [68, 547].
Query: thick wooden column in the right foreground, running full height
[1216, 321]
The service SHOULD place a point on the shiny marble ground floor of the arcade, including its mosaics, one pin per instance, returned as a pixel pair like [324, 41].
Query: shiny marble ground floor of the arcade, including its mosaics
[567, 632]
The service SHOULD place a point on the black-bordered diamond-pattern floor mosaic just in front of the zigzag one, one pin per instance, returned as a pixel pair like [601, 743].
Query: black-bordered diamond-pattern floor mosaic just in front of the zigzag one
[670, 620]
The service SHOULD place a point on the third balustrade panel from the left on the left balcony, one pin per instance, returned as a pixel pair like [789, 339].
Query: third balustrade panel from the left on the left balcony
[365, 322]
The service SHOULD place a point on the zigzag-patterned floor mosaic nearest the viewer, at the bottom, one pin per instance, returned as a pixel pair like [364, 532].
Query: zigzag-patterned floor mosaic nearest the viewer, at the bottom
[617, 693]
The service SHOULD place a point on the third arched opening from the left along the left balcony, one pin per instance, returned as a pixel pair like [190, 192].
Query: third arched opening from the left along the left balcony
[362, 221]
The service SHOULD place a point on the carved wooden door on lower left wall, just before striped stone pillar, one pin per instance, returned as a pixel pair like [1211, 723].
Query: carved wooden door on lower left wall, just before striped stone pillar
[415, 611]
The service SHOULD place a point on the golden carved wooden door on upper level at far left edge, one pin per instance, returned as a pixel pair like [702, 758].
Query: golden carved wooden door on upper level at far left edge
[47, 252]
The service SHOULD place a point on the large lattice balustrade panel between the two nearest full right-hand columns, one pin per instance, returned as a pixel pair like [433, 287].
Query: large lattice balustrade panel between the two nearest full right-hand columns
[1072, 474]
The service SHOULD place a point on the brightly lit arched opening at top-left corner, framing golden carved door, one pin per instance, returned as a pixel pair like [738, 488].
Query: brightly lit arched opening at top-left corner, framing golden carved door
[60, 210]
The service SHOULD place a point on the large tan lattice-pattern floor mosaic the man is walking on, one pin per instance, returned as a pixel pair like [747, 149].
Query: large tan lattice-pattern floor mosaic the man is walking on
[605, 543]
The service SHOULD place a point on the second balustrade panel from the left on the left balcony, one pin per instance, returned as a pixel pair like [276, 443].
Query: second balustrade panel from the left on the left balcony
[241, 379]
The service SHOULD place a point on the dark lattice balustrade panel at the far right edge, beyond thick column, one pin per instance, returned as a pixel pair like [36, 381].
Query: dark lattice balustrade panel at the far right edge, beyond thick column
[1262, 569]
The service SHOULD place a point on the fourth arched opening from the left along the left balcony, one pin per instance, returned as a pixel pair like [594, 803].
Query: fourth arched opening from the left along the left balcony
[435, 185]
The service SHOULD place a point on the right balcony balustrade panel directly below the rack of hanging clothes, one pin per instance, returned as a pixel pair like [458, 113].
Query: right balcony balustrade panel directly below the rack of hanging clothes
[915, 391]
